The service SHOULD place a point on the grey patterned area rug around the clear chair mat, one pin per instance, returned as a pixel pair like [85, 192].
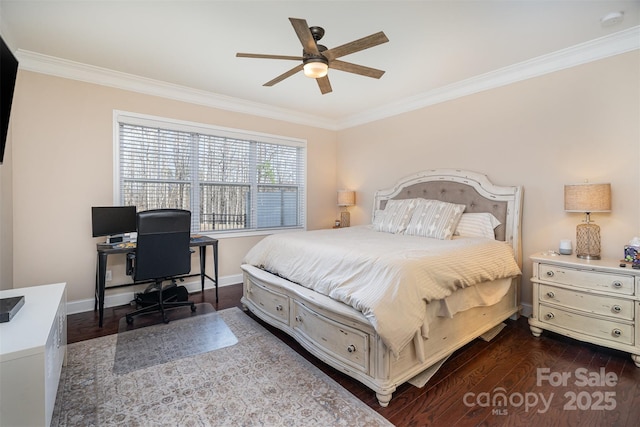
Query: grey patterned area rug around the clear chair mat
[259, 381]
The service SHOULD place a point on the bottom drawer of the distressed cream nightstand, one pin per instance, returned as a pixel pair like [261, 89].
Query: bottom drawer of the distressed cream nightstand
[605, 329]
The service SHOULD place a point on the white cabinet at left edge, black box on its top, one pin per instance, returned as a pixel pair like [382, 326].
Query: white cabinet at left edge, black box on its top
[32, 351]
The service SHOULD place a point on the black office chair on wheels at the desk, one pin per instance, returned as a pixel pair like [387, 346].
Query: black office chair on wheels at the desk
[162, 252]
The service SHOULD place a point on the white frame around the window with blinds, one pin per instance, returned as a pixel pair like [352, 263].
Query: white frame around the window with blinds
[120, 116]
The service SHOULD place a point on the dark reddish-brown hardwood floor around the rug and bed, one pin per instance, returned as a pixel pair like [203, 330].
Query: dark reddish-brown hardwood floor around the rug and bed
[601, 386]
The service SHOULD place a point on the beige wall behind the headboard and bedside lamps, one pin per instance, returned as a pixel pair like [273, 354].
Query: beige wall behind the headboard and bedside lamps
[580, 123]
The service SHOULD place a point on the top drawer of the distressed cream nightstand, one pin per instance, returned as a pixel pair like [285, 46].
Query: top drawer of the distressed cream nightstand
[613, 283]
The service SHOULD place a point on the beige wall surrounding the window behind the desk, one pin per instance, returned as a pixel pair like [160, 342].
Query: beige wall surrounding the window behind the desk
[63, 164]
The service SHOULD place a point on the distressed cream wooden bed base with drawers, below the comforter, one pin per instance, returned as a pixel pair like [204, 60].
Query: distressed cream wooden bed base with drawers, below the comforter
[344, 339]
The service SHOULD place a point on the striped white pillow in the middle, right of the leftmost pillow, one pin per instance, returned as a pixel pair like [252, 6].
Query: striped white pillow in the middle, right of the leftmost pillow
[435, 219]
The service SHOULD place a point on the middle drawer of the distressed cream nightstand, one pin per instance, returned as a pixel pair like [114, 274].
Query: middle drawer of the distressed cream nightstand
[599, 304]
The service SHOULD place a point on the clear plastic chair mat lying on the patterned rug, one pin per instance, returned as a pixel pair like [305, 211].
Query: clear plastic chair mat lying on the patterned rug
[158, 344]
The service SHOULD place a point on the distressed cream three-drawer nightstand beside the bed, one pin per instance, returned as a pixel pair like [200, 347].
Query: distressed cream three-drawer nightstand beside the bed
[596, 301]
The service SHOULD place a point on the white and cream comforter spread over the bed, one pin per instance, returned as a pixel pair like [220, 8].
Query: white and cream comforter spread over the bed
[388, 277]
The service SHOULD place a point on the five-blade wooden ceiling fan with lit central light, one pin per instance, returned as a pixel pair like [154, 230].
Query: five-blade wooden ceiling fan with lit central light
[317, 59]
